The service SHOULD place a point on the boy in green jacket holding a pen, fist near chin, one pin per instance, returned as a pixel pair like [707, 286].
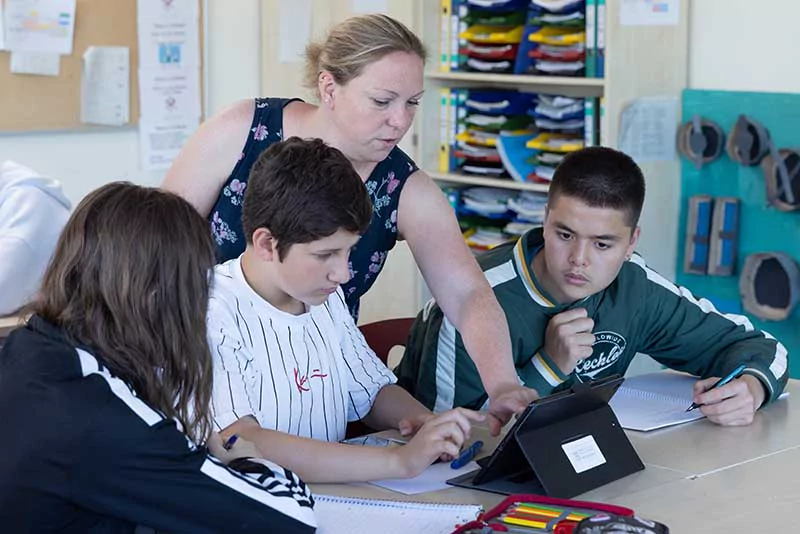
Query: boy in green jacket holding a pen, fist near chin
[580, 305]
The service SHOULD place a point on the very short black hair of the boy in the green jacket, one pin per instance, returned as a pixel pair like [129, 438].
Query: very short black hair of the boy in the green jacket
[601, 177]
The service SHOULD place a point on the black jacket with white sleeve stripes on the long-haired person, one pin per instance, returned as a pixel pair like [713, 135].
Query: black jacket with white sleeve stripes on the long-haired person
[82, 453]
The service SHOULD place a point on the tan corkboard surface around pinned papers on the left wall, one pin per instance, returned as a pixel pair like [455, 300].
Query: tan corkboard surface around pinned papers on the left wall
[40, 103]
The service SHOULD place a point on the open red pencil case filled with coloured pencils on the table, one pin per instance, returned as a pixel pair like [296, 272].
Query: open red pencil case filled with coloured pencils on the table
[543, 514]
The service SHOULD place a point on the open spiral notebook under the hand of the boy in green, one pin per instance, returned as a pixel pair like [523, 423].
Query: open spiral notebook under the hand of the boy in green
[655, 400]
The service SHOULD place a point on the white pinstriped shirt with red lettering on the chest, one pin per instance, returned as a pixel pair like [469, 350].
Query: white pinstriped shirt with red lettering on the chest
[306, 375]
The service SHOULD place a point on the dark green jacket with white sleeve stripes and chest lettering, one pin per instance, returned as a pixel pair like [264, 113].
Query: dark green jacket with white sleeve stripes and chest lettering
[640, 312]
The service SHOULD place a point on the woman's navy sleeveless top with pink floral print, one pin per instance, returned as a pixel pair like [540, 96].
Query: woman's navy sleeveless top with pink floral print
[384, 186]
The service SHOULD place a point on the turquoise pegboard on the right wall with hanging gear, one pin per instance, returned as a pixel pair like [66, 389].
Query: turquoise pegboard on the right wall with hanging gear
[761, 227]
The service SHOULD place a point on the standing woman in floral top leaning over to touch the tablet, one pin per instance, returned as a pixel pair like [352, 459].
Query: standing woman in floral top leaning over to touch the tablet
[368, 76]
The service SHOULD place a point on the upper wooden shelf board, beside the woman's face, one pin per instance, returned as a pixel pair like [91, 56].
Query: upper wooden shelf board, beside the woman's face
[576, 85]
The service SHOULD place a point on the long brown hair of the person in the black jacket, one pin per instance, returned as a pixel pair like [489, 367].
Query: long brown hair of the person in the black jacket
[129, 281]
